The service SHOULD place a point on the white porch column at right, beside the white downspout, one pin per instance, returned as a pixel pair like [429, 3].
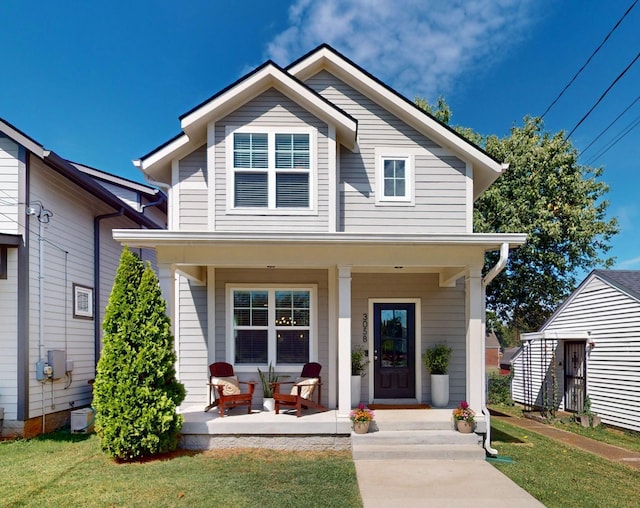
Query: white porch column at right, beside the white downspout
[475, 340]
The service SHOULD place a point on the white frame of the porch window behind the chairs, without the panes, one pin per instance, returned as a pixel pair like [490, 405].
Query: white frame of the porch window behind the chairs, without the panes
[271, 333]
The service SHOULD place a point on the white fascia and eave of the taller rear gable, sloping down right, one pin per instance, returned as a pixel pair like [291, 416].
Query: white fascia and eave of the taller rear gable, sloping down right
[490, 169]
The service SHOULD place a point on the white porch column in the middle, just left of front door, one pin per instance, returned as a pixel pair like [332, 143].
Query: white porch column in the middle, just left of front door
[344, 340]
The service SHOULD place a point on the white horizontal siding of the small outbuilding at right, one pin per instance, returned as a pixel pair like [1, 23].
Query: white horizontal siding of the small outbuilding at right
[613, 365]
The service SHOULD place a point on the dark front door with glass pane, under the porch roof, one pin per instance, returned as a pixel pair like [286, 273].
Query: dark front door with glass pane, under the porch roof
[394, 351]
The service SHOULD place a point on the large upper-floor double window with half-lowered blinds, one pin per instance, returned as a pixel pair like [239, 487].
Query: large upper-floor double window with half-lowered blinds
[271, 169]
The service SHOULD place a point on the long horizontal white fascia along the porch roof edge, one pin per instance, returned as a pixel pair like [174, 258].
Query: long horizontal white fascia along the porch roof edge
[489, 242]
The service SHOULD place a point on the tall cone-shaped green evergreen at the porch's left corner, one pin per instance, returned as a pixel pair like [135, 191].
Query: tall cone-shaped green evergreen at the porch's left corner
[136, 392]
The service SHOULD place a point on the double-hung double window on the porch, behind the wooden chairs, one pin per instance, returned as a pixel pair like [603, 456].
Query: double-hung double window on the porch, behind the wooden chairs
[271, 325]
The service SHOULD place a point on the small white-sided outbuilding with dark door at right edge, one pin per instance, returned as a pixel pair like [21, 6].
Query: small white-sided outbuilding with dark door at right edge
[589, 346]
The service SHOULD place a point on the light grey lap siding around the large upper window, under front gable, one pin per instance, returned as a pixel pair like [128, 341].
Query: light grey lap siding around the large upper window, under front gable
[272, 109]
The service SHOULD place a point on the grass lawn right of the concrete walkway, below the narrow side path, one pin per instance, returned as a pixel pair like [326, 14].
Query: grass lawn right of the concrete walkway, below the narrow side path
[564, 477]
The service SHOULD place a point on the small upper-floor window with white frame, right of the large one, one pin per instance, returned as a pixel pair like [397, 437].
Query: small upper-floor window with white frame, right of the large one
[394, 178]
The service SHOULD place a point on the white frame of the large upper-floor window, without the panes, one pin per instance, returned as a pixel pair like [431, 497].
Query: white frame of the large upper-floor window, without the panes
[271, 170]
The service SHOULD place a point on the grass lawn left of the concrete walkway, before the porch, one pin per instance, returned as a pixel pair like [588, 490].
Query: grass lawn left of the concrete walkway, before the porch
[63, 469]
